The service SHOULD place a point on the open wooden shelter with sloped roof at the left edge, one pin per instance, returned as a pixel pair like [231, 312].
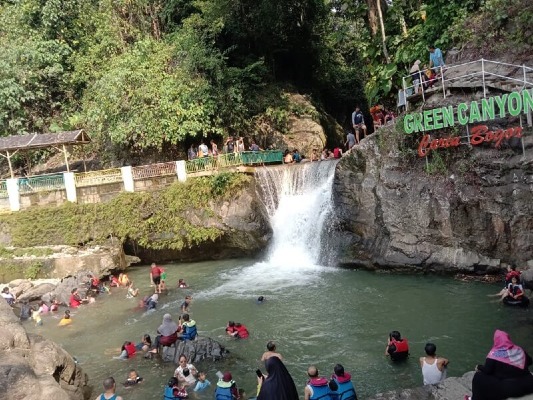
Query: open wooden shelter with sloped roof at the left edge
[11, 145]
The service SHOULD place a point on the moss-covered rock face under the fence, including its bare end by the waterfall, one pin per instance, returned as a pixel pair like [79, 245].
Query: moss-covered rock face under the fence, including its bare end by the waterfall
[180, 217]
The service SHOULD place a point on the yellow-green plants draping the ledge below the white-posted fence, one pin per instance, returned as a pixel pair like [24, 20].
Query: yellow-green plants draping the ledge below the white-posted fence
[174, 218]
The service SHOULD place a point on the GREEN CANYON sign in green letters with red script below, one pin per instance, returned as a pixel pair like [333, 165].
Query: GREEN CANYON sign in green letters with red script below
[475, 112]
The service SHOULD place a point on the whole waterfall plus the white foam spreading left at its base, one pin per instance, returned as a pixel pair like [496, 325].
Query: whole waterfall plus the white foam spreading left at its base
[298, 201]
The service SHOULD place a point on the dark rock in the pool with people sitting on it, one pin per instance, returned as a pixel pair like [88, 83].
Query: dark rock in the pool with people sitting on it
[203, 348]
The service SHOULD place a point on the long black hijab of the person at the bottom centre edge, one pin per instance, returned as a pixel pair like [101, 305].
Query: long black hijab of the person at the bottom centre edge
[278, 385]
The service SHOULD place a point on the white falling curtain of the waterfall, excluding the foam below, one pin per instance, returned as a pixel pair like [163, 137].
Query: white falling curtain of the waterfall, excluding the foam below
[298, 200]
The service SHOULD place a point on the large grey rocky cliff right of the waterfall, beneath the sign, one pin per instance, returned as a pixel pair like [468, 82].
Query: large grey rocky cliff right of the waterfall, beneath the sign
[472, 214]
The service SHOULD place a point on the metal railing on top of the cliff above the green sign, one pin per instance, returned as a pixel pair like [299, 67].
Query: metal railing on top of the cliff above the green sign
[483, 71]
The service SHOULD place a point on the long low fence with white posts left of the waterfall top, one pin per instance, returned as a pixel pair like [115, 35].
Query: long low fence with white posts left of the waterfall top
[95, 186]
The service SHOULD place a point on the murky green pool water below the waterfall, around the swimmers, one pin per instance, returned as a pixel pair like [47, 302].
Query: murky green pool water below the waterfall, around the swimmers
[317, 315]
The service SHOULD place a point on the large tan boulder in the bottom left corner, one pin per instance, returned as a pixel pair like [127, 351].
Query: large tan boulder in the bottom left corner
[34, 368]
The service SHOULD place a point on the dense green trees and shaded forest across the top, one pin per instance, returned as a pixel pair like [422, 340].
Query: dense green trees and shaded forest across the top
[146, 76]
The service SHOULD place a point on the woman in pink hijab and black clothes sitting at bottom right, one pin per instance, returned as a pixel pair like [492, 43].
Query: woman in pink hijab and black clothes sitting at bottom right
[505, 373]
